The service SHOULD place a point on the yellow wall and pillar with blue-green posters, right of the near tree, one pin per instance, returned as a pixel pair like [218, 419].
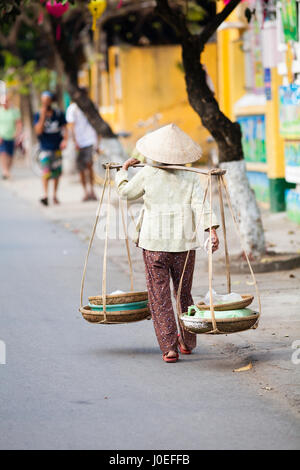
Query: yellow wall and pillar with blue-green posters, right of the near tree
[249, 93]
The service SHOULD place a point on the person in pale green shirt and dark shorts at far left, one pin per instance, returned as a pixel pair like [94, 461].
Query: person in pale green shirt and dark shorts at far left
[10, 126]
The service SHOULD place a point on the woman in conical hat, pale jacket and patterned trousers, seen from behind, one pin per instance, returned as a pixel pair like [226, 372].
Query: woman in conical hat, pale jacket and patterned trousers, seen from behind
[173, 201]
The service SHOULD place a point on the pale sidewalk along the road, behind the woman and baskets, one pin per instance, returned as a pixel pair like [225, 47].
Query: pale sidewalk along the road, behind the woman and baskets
[269, 348]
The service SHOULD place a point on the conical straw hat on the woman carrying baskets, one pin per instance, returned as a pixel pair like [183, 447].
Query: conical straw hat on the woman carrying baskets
[169, 144]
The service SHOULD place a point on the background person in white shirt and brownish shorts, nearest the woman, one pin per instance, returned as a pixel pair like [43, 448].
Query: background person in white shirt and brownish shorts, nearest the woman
[85, 140]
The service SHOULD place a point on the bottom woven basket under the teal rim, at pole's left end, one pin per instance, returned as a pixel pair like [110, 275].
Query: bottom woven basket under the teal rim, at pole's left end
[125, 316]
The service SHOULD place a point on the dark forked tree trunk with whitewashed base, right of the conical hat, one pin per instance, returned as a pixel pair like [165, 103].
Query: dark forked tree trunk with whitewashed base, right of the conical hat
[226, 133]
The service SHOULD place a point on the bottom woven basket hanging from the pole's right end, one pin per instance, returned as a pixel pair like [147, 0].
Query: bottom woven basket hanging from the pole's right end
[224, 325]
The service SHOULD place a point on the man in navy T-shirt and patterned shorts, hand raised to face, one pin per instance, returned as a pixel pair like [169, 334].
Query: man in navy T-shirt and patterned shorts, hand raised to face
[51, 128]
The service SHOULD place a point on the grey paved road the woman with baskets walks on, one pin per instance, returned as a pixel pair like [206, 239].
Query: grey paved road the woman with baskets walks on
[71, 385]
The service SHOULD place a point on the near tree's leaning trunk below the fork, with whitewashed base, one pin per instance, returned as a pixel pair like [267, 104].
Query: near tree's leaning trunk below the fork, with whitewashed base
[228, 137]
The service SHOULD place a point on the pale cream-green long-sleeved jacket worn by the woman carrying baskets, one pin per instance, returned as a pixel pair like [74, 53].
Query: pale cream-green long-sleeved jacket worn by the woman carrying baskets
[172, 205]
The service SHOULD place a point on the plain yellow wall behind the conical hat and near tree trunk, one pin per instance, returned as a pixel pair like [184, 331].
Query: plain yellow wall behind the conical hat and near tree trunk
[147, 90]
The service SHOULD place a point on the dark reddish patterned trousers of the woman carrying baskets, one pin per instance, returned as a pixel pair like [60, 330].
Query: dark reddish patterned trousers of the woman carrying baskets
[160, 266]
